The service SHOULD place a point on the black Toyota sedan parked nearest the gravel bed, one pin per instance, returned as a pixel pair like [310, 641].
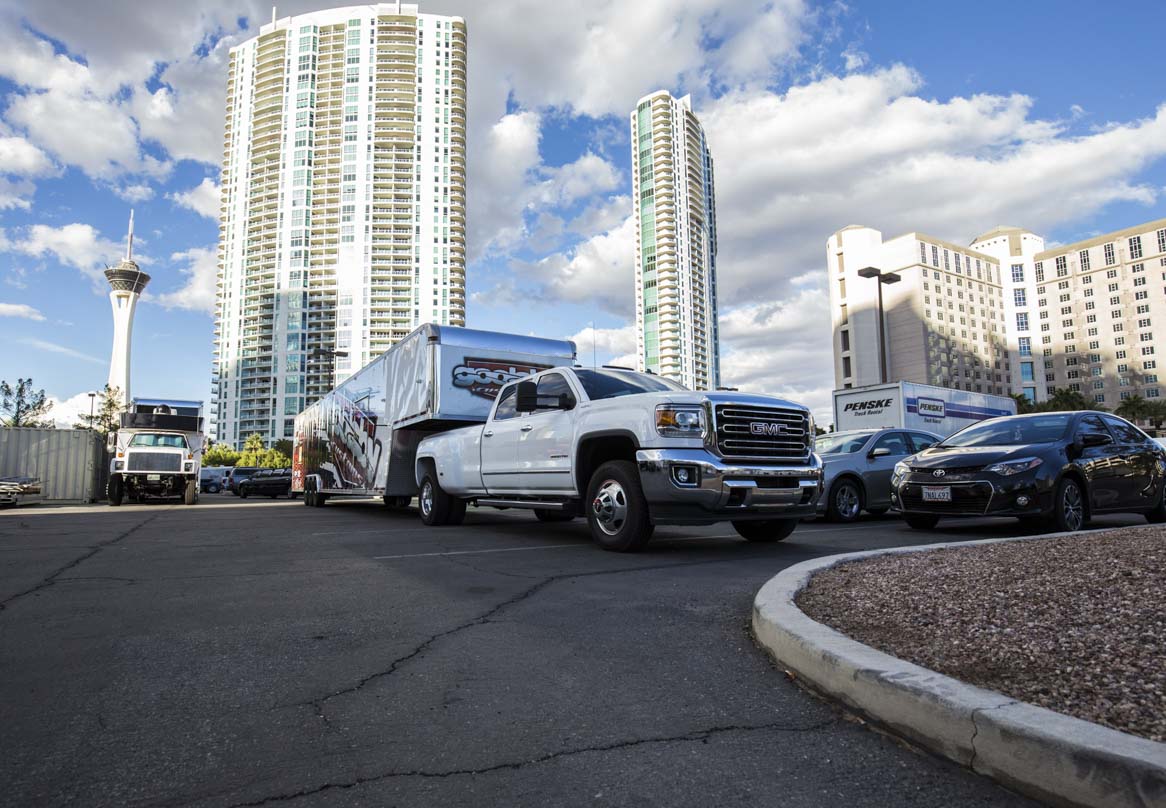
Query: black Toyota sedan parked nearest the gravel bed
[1058, 469]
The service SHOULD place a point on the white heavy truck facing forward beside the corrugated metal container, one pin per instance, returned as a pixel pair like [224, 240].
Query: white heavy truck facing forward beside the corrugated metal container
[158, 452]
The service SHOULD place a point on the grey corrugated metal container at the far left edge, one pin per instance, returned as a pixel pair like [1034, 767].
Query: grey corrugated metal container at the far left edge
[68, 462]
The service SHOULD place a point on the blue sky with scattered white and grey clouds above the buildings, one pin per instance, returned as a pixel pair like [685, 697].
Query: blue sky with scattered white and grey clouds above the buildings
[949, 118]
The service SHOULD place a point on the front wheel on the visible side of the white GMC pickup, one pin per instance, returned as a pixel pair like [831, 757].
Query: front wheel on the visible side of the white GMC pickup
[617, 511]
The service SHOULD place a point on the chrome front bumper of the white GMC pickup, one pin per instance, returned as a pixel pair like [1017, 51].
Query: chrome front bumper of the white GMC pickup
[720, 491]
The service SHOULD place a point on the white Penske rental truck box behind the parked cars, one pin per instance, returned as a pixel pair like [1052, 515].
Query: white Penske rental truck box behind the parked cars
[907, 405]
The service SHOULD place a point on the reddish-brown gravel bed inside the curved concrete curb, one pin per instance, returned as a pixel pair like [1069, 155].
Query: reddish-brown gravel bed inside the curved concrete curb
[1076, 624]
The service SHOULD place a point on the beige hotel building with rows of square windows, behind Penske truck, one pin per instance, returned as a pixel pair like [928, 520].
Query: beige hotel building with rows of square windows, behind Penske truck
[1078, 318]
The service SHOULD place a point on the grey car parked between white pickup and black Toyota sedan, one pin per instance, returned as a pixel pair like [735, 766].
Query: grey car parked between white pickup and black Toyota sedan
[858, 469]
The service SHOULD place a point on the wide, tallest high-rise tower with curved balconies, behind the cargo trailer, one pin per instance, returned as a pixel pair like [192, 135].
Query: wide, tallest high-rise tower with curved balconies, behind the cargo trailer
[343, 219]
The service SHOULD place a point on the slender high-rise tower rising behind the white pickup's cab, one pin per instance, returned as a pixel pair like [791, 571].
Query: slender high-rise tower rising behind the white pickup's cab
[676, 243]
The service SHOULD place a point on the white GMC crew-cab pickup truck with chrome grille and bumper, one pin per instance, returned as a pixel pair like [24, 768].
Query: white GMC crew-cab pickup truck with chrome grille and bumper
[630, 452]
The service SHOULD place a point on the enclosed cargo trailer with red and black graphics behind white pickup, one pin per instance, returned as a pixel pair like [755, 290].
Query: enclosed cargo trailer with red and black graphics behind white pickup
[362, 438]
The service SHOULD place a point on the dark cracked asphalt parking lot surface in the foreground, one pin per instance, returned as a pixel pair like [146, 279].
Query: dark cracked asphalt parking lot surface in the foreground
[244, 654]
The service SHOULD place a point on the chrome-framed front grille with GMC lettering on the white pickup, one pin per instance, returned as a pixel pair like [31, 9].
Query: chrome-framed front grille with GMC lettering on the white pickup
[762, 433]
